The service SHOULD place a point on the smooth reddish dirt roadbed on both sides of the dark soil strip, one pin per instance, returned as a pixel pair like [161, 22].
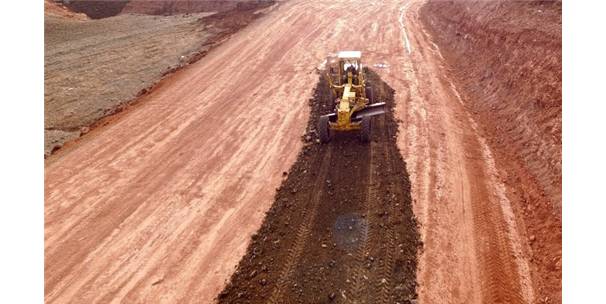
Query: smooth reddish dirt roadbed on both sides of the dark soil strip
[159, 205]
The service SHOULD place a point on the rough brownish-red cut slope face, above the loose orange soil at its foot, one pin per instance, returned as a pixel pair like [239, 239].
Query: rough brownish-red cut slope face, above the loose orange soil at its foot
[508, 58]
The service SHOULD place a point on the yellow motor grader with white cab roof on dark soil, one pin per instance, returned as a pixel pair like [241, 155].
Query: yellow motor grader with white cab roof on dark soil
[352, 96]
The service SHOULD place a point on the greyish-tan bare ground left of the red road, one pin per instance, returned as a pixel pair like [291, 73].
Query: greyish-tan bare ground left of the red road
[94, 68]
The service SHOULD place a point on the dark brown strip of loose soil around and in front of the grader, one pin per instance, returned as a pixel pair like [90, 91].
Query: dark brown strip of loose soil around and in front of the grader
[341, 229]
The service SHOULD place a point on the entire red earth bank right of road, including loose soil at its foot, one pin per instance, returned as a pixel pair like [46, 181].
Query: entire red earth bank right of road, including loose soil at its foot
[505, 58]
